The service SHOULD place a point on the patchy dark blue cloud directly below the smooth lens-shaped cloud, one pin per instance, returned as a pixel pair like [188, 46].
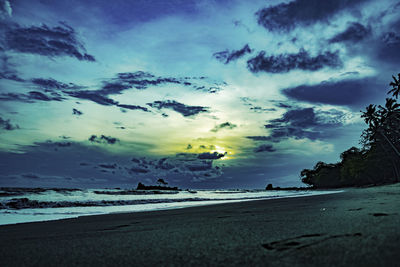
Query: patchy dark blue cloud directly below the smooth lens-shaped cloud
[303, 123]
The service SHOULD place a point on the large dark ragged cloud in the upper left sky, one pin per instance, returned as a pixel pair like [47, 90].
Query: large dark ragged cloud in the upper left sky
[43, 40]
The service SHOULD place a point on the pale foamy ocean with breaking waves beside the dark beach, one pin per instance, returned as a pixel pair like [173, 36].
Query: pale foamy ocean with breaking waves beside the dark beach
[20, 205]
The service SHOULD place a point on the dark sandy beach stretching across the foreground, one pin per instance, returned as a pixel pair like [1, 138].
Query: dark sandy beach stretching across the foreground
[360, 227]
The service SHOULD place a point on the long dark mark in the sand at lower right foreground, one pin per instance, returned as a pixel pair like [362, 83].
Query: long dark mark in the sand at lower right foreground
[303, 241]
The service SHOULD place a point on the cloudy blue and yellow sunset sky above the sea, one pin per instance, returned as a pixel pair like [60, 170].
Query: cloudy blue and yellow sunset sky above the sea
[204, 94]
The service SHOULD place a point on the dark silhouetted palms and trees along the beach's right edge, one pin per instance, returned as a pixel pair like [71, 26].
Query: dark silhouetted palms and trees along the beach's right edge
[378, 160]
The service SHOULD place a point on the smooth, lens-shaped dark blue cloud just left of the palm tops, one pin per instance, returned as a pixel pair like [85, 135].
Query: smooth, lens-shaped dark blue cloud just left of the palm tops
[351, 92]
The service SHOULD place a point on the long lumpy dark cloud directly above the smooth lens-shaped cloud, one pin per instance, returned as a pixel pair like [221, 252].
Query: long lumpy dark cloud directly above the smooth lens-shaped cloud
[287, 62]
